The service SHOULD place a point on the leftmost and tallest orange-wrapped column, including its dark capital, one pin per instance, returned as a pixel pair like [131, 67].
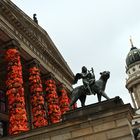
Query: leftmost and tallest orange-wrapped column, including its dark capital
[15, 91]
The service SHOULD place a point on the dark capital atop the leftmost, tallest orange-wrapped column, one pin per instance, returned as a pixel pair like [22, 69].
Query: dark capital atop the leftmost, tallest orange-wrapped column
[11, 44]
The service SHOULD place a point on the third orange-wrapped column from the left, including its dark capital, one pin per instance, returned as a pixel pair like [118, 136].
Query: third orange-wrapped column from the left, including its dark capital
[51, 98]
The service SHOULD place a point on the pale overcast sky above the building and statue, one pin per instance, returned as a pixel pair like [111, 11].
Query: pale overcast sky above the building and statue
[94, 33]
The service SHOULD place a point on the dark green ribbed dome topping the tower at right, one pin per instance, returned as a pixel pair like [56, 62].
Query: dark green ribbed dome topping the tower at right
[133, 56]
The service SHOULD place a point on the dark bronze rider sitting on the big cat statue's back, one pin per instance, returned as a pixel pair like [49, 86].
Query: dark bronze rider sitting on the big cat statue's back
[88, 78]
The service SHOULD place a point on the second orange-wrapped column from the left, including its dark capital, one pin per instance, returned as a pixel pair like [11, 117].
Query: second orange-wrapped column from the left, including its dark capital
[36, 95]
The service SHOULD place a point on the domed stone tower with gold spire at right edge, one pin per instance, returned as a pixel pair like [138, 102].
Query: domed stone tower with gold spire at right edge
[133, 72]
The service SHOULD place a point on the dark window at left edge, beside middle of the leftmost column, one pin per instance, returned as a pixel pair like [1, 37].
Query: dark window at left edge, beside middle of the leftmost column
[2, 102]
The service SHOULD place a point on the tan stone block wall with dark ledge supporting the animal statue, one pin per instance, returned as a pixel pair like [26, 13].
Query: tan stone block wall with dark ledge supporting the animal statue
[108, 120]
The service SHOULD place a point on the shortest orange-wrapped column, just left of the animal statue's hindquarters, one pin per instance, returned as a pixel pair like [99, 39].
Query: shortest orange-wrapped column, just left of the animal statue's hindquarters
[63, 98]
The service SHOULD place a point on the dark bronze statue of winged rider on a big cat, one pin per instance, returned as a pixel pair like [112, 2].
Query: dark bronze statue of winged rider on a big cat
[90, 86]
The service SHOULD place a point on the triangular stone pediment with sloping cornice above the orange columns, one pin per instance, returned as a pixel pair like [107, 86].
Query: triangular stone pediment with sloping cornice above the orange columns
[35, 36]
